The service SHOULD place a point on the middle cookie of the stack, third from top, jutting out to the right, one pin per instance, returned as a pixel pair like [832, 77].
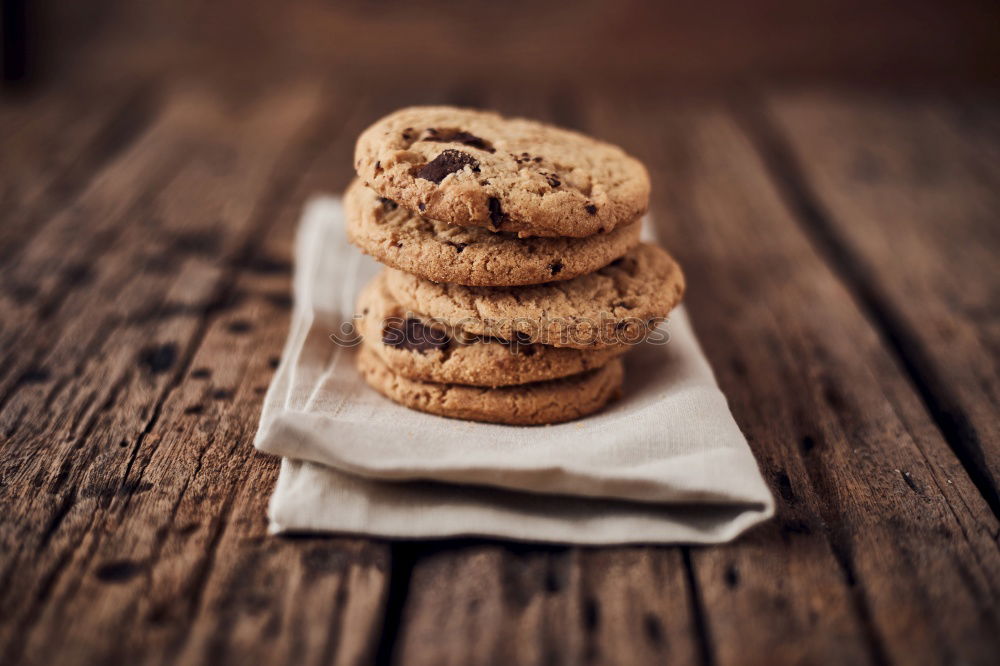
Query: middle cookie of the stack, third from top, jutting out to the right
[616, 305]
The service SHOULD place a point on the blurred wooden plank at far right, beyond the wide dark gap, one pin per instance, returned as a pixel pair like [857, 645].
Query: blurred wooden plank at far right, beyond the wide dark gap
[908, 192]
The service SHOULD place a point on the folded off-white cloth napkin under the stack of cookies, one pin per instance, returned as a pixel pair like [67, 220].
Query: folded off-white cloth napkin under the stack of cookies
[665, 464]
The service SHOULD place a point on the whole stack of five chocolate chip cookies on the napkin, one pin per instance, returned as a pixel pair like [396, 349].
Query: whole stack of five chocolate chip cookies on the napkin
[516, 278]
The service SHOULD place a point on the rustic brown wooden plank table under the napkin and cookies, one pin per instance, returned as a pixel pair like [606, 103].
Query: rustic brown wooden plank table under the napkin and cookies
[841, 250]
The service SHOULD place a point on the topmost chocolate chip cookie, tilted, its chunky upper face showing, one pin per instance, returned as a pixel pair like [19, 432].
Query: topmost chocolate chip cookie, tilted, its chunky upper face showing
[475, 168]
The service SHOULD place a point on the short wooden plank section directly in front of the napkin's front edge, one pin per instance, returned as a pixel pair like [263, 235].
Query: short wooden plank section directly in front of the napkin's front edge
[490, 603]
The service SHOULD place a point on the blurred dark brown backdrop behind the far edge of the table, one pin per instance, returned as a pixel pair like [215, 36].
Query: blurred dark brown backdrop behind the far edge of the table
[624, 46]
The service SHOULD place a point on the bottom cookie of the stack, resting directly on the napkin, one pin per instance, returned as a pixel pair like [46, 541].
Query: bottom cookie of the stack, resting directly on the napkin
[539, 403]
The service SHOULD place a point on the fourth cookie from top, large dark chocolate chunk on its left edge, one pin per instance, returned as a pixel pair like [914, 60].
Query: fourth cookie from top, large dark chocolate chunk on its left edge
[413, 349]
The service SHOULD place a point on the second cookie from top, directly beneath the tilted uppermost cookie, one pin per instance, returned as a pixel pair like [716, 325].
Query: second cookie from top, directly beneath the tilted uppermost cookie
[472, 256]
